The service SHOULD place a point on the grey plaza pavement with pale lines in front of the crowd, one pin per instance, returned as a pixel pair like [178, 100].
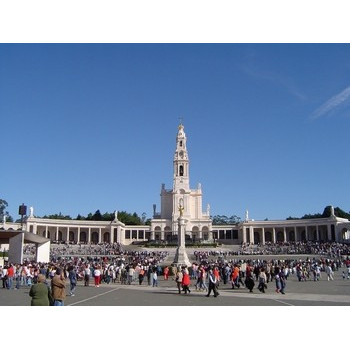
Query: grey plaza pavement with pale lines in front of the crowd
[308, 293]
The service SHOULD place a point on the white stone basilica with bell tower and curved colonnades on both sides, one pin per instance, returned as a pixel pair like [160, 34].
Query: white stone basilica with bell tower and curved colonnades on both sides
[198, 223]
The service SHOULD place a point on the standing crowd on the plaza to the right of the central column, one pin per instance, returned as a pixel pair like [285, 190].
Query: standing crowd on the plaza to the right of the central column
[248, 272]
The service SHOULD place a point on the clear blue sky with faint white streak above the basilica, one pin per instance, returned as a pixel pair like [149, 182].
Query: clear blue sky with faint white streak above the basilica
[93, 126]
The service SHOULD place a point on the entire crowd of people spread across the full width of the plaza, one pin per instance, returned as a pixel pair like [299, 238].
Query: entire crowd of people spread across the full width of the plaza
[111, 264]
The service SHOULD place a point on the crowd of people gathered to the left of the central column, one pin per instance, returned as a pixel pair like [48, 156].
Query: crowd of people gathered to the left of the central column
[125, 267]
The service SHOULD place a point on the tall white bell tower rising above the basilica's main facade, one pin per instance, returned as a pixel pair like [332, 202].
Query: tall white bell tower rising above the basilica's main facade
[181, 163]
